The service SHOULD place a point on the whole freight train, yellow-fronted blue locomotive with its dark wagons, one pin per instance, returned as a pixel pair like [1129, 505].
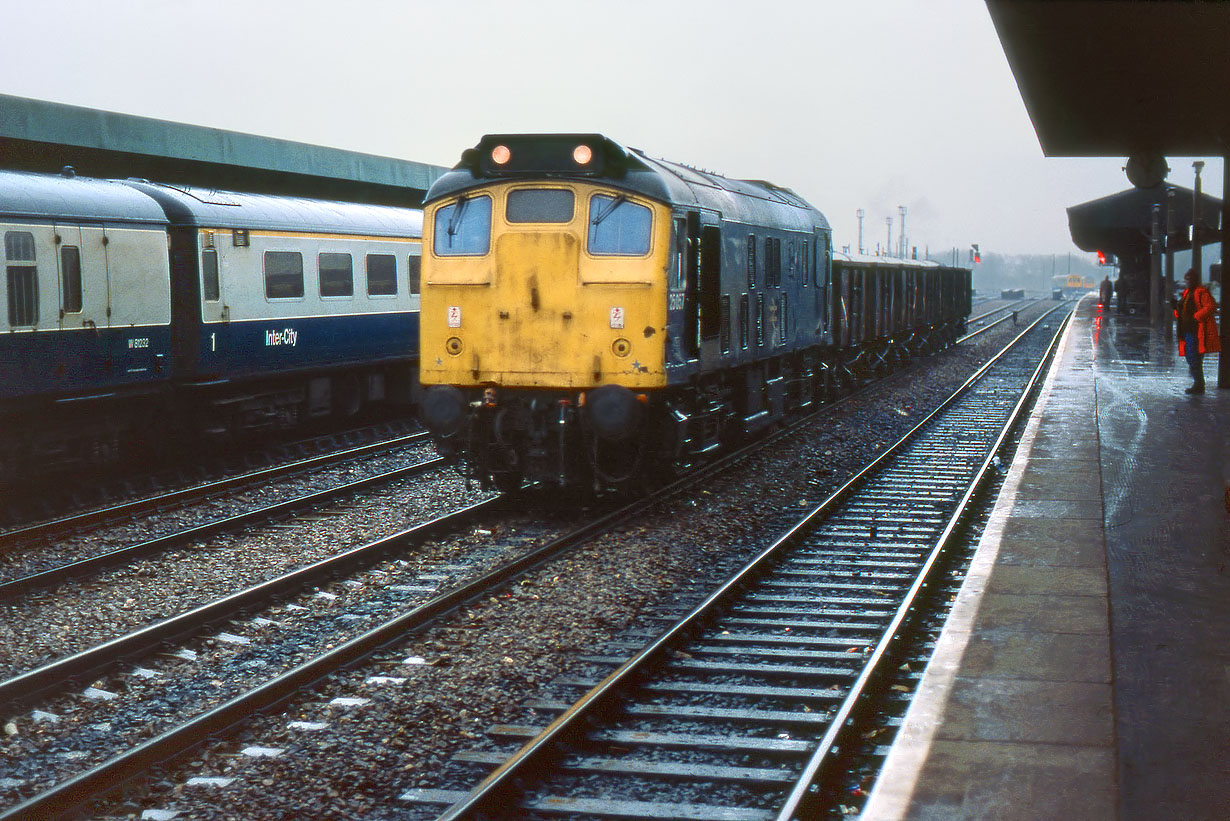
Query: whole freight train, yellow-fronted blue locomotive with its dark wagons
[593, 317]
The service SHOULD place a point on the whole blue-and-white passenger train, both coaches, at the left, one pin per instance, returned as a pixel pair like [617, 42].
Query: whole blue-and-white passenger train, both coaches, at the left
[133, 308]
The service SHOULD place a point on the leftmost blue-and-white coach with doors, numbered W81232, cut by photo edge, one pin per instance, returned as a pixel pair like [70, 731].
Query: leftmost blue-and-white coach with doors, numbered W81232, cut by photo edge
[87, 318]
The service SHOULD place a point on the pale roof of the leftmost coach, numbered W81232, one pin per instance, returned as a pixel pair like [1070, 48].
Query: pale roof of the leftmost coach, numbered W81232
[67, 198]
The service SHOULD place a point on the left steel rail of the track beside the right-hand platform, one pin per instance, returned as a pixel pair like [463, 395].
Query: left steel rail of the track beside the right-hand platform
[505, 781]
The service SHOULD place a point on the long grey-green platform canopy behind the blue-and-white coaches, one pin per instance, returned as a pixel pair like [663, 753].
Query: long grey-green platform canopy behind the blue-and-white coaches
[38, 136]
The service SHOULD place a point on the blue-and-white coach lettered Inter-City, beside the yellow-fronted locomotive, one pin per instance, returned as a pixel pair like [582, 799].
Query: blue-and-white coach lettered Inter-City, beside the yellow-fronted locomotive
[288, 308]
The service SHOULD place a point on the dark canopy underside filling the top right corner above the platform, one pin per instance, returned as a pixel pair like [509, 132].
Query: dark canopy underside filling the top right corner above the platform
[1117, 78]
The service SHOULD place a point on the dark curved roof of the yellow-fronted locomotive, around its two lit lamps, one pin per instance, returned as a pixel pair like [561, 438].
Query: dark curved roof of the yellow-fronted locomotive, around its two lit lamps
[751, 201]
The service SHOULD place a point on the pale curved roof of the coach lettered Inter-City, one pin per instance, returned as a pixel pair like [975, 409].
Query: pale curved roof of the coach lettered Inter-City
[210, 209]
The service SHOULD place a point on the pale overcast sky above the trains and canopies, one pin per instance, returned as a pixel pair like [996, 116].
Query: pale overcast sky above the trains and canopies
[853, 104]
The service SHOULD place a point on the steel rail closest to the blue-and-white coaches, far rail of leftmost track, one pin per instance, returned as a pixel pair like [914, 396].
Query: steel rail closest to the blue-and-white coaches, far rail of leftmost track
[79, 521]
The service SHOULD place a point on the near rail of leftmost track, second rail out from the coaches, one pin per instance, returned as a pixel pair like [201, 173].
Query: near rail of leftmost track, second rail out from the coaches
[15, 588]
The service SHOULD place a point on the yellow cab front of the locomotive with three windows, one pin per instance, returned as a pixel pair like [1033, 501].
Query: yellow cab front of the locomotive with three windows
[546, 286]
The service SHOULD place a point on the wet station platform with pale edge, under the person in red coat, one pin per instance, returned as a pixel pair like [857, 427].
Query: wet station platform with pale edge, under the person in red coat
[1085, 669]
